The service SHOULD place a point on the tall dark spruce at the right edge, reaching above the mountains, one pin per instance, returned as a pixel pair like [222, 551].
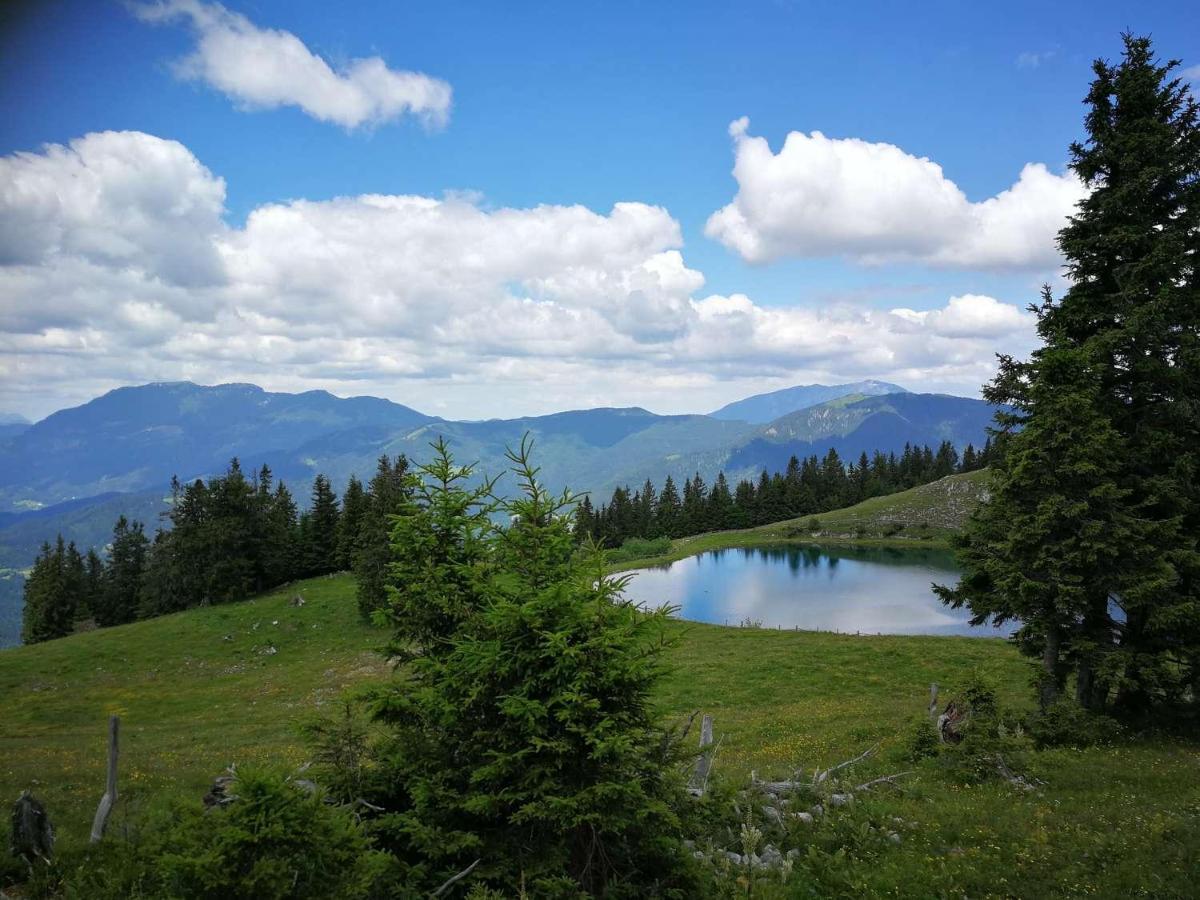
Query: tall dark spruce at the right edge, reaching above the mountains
[1131, 326]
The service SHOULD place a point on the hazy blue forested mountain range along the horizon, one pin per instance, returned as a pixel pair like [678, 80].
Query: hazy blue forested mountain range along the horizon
[77, 470]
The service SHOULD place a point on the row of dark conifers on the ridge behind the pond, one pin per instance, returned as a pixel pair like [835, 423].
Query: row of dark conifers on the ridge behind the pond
[803, 489]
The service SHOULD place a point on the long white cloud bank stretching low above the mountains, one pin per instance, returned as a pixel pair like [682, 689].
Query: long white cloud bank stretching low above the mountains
[416, 298]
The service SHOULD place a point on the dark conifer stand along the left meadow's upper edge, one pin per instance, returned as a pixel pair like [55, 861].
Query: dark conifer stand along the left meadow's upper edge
[230, 537]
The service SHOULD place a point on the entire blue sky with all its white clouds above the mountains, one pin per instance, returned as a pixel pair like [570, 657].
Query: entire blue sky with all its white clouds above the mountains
[485, 209]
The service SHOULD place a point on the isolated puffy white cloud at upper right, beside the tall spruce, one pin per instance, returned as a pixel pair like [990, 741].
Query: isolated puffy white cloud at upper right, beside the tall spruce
[875, 203]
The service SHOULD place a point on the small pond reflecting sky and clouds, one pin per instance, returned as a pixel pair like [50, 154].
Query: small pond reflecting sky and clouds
[865, 591]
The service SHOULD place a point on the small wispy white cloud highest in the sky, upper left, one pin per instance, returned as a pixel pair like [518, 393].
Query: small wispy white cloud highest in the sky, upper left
[269, 68]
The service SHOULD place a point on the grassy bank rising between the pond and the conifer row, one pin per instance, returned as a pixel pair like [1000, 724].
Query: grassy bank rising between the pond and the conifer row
[923, 517]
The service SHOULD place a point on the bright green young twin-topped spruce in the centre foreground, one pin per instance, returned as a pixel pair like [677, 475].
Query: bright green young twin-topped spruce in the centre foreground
[523, 728]
